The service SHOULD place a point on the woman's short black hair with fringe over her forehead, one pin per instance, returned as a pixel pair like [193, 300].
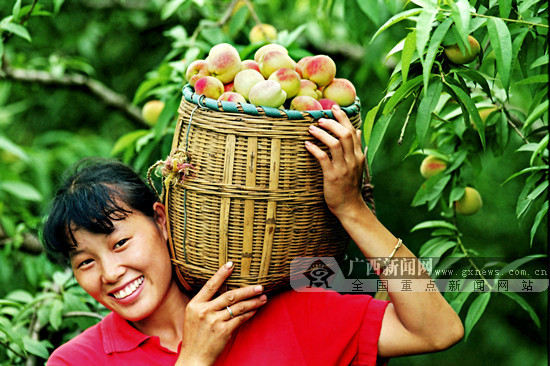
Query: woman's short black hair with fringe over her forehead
[94, 193]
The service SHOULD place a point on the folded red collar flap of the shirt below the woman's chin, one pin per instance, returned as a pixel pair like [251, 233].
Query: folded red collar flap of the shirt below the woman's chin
[119, 335]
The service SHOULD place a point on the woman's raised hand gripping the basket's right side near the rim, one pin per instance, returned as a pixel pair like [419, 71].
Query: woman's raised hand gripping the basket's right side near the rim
[343, 169]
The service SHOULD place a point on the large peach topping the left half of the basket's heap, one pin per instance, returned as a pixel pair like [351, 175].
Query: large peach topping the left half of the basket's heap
[224, 62]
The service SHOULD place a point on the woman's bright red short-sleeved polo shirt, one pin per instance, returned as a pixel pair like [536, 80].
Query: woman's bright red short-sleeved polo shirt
[293, 328]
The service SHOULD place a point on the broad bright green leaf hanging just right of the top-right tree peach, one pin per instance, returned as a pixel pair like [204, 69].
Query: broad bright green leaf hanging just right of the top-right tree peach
[499, 36]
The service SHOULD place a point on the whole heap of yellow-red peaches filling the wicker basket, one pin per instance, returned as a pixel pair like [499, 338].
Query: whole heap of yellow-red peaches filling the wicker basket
[272, 79]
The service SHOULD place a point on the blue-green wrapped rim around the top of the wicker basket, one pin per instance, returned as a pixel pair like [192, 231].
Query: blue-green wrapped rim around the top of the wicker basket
[252, 109]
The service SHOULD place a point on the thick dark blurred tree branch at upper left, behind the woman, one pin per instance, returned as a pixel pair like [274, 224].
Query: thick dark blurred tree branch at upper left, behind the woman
[108, 96]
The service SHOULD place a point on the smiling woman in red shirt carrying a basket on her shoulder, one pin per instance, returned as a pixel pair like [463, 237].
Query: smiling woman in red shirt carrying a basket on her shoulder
[107, 222]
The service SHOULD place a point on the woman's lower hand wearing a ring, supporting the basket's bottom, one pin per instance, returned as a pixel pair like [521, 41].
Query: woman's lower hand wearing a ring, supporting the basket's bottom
[209, 324]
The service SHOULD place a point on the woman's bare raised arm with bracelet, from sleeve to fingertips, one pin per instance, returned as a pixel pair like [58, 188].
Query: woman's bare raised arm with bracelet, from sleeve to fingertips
[414, 322]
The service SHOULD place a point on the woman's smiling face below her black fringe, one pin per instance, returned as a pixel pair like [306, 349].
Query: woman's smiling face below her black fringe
[129, 270]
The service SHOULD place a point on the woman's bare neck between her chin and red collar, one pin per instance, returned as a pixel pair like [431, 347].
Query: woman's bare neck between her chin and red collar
[166, 322]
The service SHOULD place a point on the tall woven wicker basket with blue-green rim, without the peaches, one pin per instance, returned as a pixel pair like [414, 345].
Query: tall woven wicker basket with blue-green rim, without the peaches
[255, 196]
